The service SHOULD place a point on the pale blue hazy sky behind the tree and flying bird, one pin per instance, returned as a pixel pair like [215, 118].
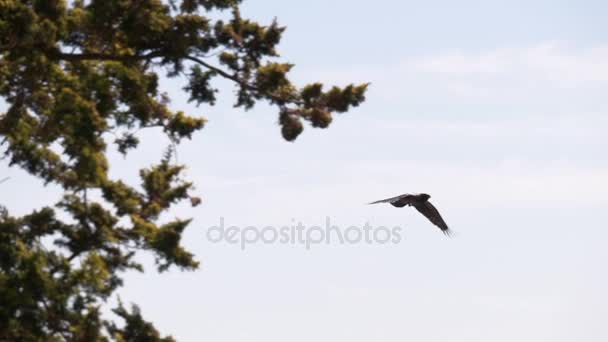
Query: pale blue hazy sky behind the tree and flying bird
[496, 108]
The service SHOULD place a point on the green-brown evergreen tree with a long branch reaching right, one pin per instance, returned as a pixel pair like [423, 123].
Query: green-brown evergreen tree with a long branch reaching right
[81, 77]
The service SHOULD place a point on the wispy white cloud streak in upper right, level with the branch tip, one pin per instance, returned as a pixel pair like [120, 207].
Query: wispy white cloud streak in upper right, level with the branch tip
[520, 75]
